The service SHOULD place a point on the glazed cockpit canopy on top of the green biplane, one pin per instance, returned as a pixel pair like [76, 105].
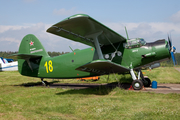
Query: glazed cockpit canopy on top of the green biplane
[134, 43]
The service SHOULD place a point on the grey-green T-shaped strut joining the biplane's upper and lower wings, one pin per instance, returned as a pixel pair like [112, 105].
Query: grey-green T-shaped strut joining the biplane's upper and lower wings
[96, 43]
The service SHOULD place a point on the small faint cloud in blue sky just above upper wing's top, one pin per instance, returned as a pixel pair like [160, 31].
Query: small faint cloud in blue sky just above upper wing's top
[66, 12]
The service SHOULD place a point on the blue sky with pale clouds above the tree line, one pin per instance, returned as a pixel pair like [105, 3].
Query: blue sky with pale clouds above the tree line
[148, 19]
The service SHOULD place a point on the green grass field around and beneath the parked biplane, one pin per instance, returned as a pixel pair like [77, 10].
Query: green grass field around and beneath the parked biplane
[19, 102]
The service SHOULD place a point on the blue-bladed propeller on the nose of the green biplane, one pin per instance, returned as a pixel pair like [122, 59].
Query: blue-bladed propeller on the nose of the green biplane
[172, 50]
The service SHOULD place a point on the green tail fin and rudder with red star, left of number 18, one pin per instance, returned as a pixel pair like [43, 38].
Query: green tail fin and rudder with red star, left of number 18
[30, 54]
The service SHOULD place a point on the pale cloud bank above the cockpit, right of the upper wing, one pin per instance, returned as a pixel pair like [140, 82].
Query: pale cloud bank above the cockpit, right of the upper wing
[150, 31]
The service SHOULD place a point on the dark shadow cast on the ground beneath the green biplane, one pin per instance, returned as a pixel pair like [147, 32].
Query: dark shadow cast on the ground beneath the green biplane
[77, 88]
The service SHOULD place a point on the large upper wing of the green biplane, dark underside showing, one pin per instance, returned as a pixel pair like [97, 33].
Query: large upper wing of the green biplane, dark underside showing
[80, 27]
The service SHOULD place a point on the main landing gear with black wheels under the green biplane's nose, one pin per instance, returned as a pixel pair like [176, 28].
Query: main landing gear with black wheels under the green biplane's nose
[138, 83]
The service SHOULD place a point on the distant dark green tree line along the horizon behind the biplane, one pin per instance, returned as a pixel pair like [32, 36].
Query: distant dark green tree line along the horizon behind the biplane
[168, 63]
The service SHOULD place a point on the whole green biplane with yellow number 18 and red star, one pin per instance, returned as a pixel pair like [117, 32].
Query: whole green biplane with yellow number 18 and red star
[109, 53]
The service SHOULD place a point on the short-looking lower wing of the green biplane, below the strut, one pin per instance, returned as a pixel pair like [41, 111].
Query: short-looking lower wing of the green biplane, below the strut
[103, 67]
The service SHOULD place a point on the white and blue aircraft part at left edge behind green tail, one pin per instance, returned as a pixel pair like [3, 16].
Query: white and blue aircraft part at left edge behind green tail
[8, 64]
